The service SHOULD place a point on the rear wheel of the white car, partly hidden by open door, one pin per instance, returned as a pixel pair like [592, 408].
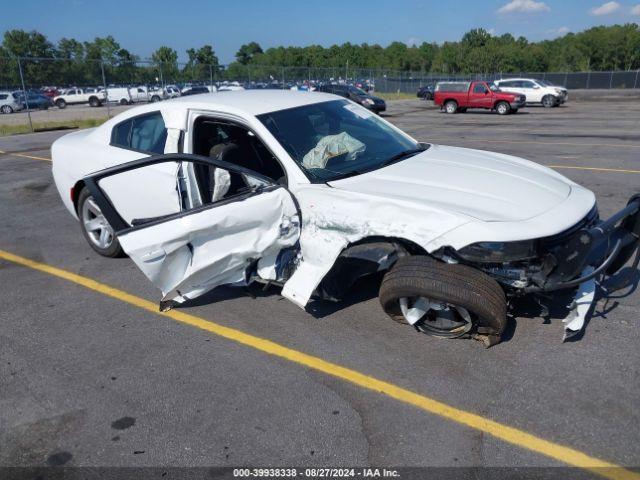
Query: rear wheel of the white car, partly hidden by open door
[95, 228]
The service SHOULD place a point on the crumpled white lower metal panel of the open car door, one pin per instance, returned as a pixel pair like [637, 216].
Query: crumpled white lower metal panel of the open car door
[216, 246]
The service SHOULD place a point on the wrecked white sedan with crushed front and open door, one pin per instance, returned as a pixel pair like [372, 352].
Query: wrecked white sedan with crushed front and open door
[312, 192]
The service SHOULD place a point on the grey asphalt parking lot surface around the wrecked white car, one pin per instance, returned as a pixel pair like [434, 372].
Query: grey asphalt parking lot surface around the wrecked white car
[88, 379]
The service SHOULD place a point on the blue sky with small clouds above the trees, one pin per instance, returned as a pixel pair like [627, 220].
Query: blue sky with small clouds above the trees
[142, 26]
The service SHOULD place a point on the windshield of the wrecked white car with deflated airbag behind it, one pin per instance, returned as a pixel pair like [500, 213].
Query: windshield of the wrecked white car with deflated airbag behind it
[337, 139]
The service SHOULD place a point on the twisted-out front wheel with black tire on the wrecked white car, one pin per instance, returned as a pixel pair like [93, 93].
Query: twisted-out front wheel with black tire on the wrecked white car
[461, 287]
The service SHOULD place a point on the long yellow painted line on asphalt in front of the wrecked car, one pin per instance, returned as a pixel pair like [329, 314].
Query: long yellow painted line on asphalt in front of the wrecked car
[503, 432]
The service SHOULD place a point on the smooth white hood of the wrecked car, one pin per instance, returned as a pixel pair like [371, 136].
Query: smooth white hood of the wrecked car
[486, 186]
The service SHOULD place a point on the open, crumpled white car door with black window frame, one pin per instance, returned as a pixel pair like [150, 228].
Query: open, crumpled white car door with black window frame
[240, 231]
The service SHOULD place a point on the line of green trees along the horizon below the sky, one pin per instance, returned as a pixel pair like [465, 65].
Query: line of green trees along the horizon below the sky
[601, 48]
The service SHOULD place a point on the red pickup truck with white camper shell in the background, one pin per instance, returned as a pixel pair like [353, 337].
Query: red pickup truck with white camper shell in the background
[458, 96]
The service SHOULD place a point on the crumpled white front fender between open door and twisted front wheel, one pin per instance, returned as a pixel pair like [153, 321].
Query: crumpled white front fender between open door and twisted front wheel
[333, 218]
